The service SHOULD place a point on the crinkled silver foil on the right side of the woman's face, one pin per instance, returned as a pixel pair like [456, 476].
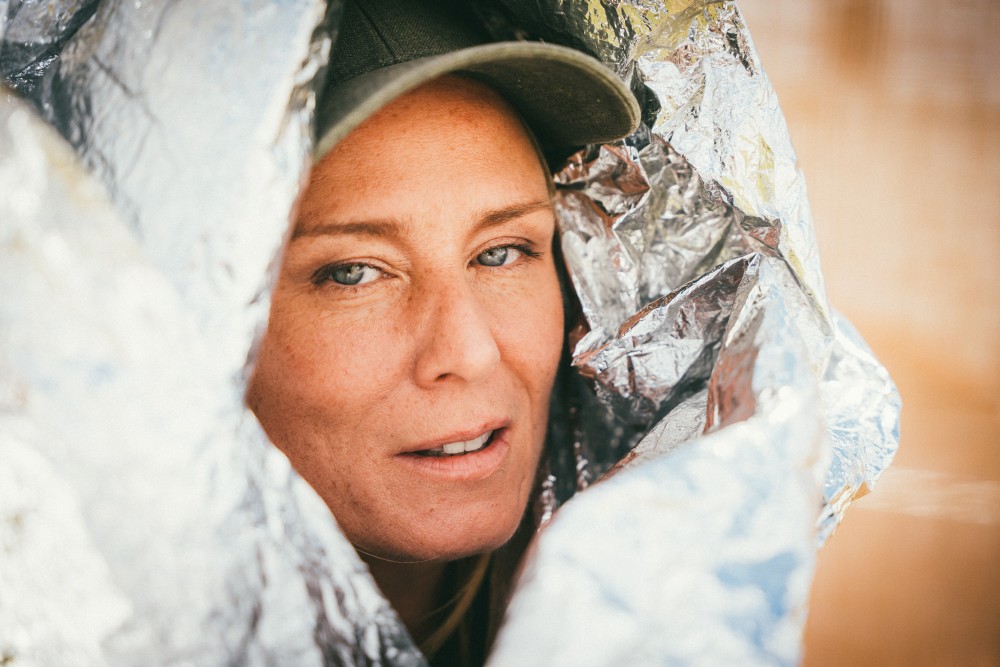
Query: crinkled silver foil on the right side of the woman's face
[691, 249]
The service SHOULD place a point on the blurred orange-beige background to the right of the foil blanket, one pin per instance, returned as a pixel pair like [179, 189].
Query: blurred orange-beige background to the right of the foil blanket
[894, 109]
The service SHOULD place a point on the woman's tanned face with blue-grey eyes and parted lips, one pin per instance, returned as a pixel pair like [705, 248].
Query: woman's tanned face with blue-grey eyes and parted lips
[418, 313]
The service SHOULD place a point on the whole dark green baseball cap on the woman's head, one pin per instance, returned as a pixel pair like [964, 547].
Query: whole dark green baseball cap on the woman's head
[386, 48]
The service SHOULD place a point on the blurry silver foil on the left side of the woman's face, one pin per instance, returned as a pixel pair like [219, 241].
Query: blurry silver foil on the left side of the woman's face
[140, 500]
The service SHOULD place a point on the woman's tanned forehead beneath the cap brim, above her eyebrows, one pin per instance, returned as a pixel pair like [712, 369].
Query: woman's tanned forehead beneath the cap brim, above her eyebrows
[448, 145]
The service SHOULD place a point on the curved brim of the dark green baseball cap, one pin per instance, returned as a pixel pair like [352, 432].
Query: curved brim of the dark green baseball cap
[565, 96]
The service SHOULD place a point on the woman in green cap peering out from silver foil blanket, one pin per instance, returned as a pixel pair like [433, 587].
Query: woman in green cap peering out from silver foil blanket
[416, 326]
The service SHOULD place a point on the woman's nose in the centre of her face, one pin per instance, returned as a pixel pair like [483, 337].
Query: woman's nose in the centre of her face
[457, 341]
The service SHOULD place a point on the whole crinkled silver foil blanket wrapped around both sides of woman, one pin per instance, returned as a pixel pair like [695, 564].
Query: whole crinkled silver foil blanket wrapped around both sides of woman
[727, 414]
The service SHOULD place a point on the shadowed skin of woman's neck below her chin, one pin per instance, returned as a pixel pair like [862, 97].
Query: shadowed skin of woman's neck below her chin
[416, 591]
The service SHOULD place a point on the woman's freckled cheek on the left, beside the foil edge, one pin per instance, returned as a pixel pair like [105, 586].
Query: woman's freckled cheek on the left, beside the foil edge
[319, 388]
